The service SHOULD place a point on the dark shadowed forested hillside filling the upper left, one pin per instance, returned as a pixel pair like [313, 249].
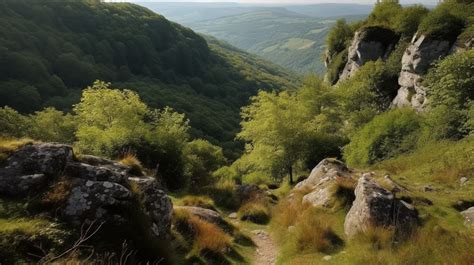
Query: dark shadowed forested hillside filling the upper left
[50, 51]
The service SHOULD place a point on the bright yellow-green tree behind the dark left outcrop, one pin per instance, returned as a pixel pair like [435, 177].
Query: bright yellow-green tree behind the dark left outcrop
[108, 120]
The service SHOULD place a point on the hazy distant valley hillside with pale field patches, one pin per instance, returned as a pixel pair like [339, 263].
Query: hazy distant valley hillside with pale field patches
[290, 36]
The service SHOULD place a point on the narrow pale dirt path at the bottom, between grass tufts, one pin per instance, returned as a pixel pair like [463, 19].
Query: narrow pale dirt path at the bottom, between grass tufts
[266, 251]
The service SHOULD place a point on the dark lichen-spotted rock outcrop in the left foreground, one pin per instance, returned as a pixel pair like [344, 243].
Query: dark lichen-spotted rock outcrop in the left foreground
[98, 189]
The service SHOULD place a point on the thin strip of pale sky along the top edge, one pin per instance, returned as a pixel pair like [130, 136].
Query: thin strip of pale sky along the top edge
[428, 2]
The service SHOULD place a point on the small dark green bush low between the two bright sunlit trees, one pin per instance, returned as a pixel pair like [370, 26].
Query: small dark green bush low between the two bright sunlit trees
[201, 159]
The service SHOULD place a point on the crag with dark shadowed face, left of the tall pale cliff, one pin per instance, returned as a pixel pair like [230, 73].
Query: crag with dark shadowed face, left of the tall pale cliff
[368, 44]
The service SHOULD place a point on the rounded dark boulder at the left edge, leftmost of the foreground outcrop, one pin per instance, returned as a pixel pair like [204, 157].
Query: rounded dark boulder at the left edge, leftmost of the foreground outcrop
[32, 166]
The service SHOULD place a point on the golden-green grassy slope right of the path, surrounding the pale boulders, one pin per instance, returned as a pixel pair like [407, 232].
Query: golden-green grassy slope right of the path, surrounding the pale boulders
[441, 238]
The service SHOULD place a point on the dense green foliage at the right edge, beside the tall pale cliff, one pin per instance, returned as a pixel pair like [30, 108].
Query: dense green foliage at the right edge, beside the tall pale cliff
[450, 93]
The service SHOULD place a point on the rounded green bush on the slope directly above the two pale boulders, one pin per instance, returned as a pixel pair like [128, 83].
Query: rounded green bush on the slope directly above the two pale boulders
[386, 136]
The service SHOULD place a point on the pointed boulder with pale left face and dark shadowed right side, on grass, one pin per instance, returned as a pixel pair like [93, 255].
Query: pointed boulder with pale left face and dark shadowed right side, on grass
[375, 206]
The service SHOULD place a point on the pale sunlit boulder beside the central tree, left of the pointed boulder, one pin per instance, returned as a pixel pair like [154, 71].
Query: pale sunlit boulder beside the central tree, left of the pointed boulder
[321, 185]
